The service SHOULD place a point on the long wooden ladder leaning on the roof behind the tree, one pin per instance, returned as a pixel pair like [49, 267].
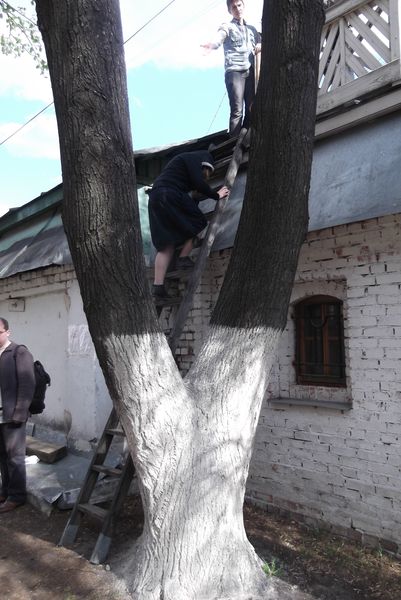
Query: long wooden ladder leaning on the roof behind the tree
[124, 475]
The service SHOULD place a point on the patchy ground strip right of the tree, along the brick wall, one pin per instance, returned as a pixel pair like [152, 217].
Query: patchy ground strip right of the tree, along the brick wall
[314, 558]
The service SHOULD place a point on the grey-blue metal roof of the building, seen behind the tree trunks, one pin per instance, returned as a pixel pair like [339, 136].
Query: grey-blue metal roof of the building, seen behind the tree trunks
[355, 176]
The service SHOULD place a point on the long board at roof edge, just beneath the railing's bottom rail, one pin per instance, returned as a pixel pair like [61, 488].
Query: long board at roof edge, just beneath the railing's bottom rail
[359, 114]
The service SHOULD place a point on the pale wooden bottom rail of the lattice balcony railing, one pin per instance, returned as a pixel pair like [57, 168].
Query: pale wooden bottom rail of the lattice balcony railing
[354, 89]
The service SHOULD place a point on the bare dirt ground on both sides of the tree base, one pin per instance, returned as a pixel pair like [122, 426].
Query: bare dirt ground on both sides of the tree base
[325, 566]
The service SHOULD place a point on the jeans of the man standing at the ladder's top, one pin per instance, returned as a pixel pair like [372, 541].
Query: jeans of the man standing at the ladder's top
[241, 93]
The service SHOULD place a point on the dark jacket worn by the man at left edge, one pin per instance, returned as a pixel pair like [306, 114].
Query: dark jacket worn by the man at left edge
[17, 382]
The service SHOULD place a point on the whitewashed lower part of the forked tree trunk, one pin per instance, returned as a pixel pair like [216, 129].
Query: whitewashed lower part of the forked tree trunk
[195, 457]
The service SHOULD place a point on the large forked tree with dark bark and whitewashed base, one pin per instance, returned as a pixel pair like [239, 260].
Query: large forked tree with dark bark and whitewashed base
[191, 439]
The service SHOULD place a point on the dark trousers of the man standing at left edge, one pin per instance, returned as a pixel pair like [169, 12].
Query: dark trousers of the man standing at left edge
[12, 462]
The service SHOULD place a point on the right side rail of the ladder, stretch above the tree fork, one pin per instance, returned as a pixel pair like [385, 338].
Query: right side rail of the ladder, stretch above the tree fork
[207, 244]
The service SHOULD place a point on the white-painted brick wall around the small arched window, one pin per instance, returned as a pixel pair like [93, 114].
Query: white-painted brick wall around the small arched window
[332, 456]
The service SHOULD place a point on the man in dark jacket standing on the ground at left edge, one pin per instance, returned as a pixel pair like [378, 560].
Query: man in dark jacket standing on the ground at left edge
[17, 386]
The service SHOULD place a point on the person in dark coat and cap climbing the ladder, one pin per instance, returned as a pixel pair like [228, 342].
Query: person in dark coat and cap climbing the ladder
[174, 216]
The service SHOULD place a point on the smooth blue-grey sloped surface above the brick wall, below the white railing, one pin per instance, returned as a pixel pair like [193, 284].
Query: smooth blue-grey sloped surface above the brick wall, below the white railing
[355, 176]
